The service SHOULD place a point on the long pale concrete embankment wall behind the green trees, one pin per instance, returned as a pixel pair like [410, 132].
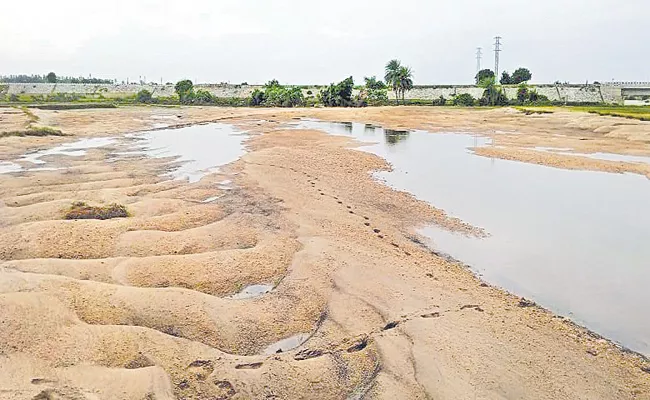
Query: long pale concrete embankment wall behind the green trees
[569, 93]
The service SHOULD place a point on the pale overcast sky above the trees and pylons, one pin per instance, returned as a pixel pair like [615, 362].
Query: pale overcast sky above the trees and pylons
[319, 42]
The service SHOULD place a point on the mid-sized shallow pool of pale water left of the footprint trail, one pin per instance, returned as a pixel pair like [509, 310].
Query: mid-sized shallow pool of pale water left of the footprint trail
[200, 148]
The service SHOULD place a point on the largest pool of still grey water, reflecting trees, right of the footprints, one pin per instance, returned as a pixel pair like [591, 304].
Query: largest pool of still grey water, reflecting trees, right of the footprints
[573, 241]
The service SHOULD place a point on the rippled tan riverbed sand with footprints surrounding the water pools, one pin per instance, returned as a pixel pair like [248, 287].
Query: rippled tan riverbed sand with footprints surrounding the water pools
[140, 307]
